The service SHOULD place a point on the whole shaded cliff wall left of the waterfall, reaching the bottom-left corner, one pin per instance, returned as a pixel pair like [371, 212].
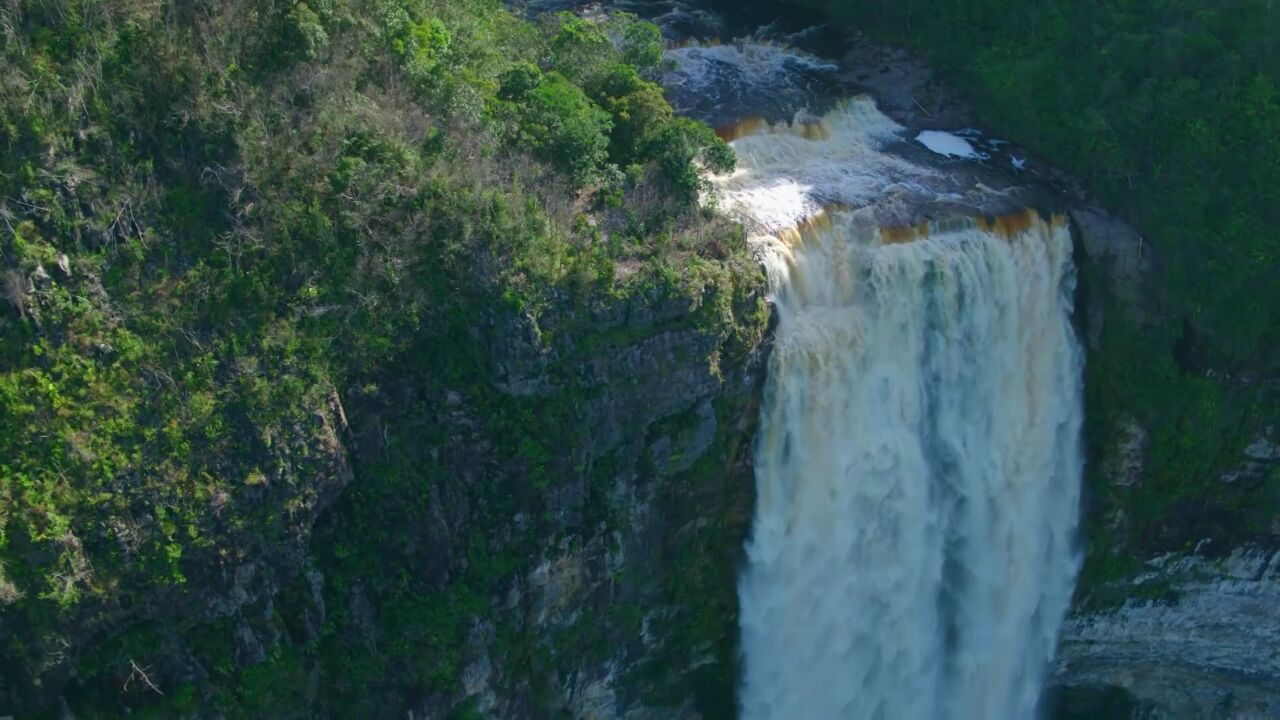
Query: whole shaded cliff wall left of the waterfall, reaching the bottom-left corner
[555, 534]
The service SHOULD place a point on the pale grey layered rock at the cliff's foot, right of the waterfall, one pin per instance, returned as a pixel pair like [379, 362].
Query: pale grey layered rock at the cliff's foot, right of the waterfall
[1197, 639]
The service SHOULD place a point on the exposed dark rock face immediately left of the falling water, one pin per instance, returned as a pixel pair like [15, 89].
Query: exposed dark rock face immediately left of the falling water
[623, 600]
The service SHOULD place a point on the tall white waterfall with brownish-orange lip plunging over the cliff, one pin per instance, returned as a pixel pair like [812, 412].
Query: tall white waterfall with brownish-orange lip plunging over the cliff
[918, 463]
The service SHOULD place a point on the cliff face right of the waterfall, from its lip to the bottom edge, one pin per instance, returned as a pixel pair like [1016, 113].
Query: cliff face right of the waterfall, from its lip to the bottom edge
[1176, 605]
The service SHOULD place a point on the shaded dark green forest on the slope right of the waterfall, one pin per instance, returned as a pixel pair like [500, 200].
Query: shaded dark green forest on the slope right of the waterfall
[1169, 112]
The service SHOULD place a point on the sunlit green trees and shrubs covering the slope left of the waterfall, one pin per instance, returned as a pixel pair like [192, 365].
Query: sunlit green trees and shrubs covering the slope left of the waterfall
[223, 222]
